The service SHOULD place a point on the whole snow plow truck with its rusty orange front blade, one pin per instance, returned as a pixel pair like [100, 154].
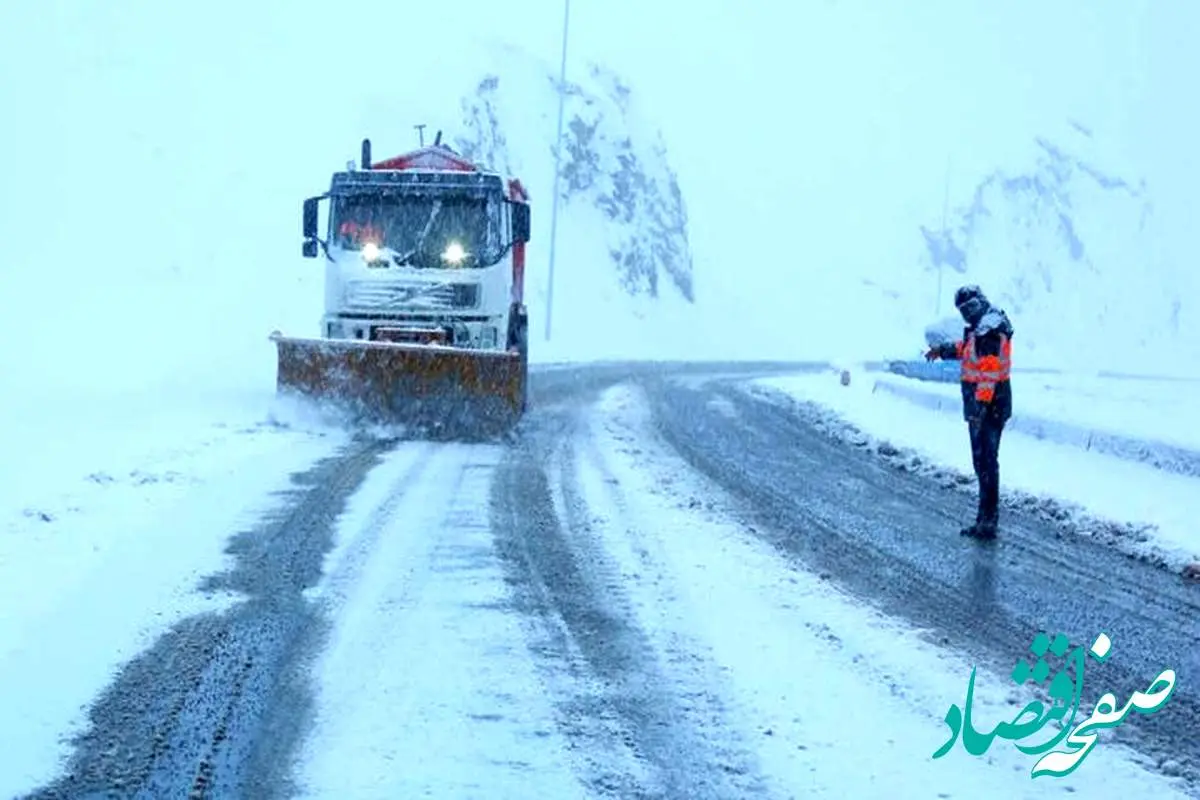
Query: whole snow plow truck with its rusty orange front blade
[424, 323]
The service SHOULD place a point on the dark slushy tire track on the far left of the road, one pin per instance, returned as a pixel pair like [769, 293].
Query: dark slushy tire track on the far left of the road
[211, 709]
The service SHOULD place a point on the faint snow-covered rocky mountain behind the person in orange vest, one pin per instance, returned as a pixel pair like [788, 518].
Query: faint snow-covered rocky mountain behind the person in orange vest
[1066, 245]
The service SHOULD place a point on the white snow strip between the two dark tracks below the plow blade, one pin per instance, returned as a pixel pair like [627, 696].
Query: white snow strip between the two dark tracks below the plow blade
[427, 687]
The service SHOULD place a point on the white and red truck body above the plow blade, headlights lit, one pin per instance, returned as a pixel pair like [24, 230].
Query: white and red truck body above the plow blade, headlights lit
[424, 249]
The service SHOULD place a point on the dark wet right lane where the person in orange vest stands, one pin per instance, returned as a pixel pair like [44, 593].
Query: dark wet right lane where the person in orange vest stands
[890, 536]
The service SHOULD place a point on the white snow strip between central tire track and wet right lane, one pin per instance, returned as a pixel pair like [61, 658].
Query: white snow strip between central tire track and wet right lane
[836, 700]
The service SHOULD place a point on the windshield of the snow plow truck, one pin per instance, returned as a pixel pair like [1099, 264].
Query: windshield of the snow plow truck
[422, 231]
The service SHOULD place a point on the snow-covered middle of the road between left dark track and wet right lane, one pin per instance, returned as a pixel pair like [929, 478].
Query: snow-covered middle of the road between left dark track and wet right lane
[585, 616]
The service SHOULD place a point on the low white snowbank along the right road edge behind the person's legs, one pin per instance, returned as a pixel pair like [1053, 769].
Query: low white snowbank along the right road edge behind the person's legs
[1143, 512]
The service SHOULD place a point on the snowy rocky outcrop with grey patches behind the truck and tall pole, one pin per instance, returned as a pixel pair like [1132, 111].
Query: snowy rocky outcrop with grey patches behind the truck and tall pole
[614, 166]
